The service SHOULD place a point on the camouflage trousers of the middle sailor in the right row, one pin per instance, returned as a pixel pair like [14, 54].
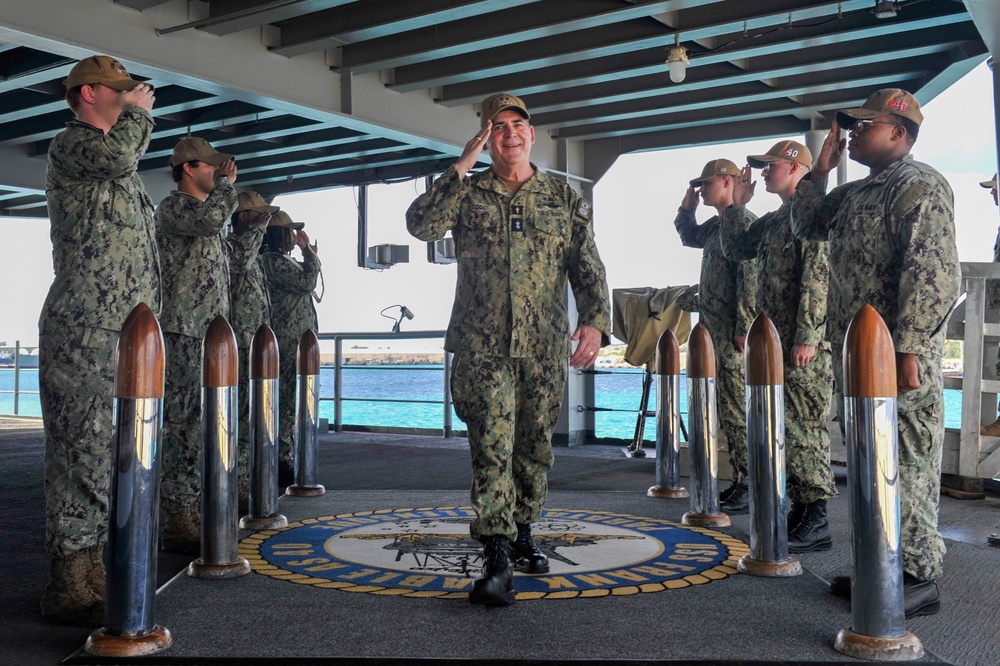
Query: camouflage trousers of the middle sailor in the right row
[807, 438]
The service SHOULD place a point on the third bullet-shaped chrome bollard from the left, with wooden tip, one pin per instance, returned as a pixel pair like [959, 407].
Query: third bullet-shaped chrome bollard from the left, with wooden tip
[263, 434]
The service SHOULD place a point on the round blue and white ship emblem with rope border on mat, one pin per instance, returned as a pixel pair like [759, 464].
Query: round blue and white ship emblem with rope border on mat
[427, 552]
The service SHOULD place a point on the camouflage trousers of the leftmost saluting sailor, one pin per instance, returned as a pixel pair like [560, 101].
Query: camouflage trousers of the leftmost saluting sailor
[76, 386]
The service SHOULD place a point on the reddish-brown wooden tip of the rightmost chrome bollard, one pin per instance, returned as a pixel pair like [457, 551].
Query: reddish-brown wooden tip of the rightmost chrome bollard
[869, 357]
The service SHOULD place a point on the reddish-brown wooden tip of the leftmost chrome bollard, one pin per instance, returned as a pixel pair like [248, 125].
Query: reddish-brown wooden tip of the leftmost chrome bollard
[140, 366]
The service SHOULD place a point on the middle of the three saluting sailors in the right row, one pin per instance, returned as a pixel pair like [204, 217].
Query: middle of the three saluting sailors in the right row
[792, 285]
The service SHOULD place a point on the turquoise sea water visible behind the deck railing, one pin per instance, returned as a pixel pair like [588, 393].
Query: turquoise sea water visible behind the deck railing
[370, 392]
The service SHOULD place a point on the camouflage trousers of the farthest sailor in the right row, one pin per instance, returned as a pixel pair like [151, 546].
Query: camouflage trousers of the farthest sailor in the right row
[730, 391]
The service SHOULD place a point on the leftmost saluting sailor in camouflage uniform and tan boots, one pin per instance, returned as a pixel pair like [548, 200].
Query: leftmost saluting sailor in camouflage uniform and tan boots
[105, 264]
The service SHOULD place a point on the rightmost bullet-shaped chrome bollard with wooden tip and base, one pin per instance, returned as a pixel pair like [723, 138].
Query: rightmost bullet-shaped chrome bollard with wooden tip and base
[878, 622]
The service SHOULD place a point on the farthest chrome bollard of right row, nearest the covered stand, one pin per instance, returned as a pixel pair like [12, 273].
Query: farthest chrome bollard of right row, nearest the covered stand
[668, 419]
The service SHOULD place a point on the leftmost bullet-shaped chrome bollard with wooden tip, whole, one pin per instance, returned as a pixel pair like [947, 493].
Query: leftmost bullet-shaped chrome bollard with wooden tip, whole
[133, 516]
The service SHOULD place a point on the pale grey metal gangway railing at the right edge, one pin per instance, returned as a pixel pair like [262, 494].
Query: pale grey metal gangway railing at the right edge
[966, 452]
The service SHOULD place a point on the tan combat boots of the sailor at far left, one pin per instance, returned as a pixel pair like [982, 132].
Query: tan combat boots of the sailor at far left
[75, 591]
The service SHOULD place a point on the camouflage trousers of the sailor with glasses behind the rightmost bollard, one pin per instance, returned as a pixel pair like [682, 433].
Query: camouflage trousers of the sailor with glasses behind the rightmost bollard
[920, 415]
